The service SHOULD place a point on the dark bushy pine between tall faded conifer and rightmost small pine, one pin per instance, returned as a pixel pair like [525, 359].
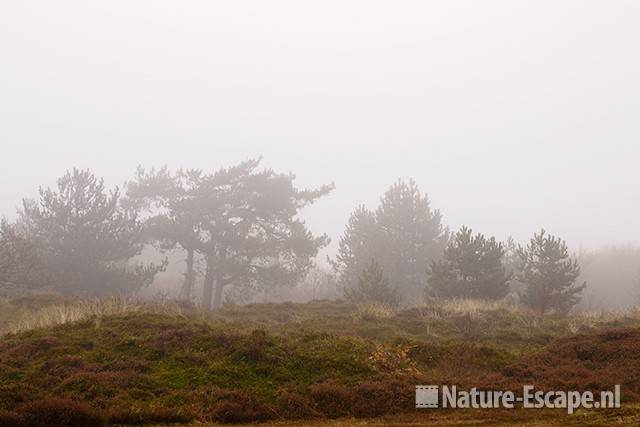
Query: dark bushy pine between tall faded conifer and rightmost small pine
[471, 267]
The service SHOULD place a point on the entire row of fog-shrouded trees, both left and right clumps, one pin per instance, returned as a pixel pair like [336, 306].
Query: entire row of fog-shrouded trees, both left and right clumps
[242, 225]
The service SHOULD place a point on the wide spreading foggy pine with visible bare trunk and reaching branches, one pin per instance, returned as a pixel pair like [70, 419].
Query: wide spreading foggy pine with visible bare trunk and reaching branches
[241, 220]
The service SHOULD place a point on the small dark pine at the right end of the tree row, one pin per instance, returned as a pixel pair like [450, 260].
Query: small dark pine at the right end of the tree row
[549, 274]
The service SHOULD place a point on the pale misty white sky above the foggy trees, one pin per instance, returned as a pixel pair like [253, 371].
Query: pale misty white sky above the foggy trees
[511, 115]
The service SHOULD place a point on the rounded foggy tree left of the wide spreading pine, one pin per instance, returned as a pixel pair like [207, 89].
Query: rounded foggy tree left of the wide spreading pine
[84, 238]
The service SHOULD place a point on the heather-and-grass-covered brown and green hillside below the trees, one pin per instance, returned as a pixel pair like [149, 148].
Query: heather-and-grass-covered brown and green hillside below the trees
[123, 362]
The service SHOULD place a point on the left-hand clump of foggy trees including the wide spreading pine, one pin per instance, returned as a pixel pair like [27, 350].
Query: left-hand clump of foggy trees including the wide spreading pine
[80, 238]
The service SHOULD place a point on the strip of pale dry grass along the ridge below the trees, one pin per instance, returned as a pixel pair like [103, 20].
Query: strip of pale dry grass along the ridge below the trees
[46, 310]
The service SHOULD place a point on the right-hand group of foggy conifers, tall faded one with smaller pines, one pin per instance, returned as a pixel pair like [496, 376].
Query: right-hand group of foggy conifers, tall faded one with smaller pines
[402, 252]
